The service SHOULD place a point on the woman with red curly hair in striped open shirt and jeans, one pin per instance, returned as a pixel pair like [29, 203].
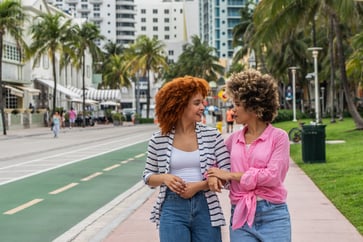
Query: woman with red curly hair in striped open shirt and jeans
[178, 158]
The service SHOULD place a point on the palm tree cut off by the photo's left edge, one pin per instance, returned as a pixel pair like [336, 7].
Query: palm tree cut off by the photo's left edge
[11, 21]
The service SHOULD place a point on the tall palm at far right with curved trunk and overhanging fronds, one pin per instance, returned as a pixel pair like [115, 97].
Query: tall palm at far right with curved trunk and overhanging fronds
[275, 19]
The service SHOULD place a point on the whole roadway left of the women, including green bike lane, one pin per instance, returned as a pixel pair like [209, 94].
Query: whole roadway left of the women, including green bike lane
[48, 185]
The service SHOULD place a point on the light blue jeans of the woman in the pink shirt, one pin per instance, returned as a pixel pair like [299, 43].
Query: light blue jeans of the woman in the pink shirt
[271, 224]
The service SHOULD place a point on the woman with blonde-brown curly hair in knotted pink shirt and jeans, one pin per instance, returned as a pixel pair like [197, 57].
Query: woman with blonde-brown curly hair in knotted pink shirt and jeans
[259, 162]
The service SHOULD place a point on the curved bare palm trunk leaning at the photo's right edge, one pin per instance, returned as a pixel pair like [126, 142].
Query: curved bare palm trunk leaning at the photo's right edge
[341, 60]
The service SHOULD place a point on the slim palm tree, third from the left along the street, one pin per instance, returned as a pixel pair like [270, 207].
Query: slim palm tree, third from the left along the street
[84, 38]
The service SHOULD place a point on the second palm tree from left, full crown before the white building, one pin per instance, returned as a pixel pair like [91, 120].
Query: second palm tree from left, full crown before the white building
[49, 36]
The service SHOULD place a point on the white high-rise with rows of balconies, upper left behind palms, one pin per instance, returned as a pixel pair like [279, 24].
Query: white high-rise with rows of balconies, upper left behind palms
[115, 18]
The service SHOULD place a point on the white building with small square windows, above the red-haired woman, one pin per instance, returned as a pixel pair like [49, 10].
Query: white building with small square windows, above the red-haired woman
[173, 22]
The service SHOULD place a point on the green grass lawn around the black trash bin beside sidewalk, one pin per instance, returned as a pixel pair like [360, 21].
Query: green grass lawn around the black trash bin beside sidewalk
[340, 178]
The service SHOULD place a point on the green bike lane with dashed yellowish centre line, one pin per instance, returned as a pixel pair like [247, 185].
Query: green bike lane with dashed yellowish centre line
[44, 206]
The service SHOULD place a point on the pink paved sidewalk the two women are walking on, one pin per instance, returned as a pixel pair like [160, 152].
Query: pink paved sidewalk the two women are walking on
[313, 217]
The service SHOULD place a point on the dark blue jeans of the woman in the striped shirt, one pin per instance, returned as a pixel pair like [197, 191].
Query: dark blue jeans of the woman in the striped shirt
[187, 220]
